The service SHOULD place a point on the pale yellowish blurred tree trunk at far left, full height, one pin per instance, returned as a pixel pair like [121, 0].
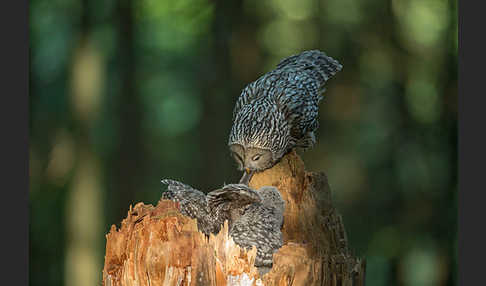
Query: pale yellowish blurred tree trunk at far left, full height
[84, 212]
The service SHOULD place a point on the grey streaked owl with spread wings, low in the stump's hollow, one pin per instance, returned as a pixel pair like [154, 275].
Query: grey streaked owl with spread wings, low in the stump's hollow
[255, 217]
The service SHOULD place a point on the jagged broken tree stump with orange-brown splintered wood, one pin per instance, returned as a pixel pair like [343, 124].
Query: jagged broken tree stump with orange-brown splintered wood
[159, 246]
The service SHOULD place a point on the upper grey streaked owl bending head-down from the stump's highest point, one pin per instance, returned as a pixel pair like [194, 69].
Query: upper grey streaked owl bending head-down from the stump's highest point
[279, 111]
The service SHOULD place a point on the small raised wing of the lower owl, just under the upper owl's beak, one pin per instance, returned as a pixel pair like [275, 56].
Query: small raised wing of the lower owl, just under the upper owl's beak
[232, 196]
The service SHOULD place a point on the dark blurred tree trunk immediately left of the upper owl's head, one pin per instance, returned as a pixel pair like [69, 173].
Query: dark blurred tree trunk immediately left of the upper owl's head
[219, 92]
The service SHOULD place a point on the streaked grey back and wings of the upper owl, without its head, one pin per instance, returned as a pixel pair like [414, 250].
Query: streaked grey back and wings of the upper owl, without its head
[296, 85]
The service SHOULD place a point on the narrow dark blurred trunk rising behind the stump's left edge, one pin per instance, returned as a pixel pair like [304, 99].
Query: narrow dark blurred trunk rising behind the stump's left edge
[129, 160]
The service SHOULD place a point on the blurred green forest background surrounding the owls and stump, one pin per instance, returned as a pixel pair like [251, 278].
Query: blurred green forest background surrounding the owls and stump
[124, 93]
